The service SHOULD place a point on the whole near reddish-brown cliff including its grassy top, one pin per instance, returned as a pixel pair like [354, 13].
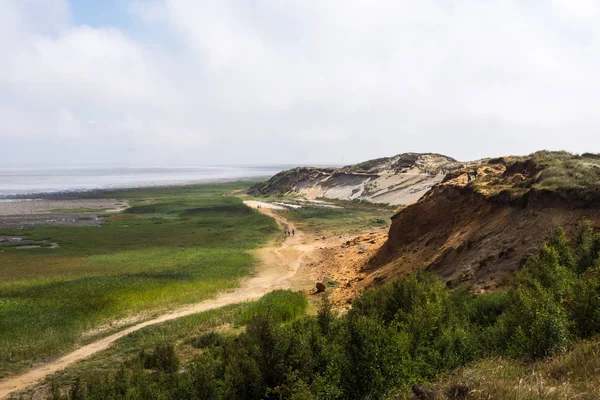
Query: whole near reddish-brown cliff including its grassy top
[479, 232]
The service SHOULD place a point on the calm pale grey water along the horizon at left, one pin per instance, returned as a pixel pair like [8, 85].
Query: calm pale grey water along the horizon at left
[22, 181]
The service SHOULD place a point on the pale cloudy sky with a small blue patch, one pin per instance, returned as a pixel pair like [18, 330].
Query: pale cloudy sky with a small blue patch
[213, 82]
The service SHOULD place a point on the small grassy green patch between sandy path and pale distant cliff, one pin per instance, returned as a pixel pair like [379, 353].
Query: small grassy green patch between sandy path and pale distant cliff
[351, 217]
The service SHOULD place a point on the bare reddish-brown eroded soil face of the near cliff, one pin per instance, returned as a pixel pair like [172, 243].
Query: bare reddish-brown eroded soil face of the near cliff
[467, 236]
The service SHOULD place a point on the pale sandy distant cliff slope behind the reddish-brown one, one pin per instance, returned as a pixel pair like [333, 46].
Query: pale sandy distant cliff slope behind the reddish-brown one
[398, 180]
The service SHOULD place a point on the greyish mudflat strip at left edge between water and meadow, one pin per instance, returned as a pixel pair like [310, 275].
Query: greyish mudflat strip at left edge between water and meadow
[18, 214]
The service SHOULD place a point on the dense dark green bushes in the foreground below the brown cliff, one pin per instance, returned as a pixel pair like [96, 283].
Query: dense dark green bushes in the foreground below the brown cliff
[408, 332]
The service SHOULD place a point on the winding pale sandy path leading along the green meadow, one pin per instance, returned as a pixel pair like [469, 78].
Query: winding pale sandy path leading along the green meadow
[277, 265]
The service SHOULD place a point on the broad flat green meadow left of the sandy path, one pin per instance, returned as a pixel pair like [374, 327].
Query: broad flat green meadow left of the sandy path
[172, 246]
